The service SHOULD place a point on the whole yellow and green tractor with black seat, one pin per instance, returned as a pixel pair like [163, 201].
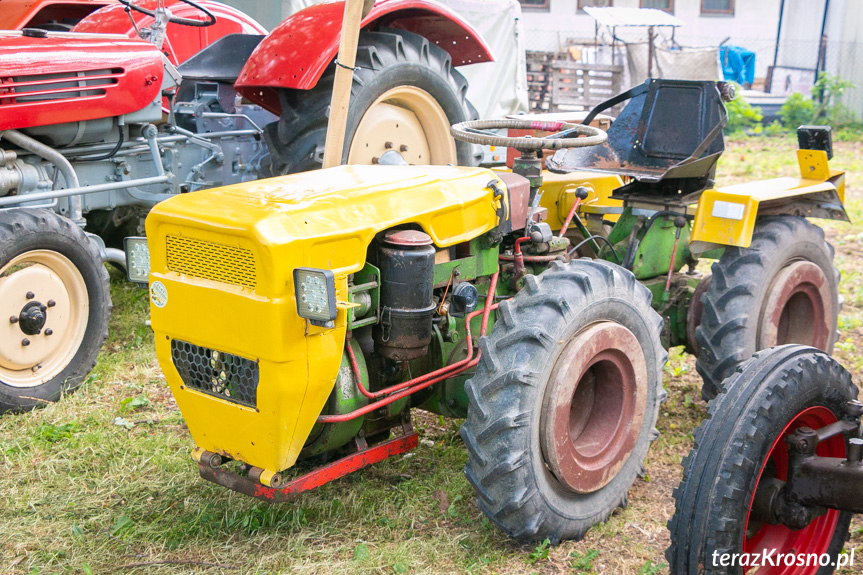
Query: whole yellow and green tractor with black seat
[298, 319]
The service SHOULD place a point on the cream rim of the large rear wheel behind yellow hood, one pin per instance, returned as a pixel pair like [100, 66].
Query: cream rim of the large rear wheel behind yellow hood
[406, 121]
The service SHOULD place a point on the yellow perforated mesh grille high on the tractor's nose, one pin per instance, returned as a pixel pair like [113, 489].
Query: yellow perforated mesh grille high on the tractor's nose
[215, 262]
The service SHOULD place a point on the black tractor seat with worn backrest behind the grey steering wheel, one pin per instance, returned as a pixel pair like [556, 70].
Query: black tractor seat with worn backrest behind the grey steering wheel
[668, 129]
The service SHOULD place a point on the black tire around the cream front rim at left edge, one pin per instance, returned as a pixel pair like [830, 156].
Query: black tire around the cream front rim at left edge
[63, 237]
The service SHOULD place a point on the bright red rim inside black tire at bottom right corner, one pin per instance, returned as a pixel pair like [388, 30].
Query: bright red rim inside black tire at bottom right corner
[814, 538]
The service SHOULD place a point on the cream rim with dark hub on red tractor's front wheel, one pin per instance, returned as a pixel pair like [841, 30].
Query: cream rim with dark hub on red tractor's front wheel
[44, 307]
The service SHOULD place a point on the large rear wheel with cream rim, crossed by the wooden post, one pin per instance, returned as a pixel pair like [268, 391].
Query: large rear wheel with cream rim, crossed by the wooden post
[404, 98]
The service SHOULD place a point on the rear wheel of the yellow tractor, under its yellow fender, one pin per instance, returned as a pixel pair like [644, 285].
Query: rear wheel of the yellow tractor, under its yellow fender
[782, 289]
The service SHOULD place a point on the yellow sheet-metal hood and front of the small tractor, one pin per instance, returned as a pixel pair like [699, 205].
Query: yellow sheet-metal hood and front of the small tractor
[222, 290]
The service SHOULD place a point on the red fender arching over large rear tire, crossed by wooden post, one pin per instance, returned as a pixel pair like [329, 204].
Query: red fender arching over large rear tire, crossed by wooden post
[298, 51]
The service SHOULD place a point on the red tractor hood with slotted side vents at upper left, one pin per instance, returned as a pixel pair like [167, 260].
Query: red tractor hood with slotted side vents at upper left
[73, 77]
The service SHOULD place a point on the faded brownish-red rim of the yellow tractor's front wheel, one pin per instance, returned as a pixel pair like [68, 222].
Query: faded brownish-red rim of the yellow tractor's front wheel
[594, 407]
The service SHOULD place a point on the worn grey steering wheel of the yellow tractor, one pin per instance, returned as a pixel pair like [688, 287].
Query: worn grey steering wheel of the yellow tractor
[565, 134]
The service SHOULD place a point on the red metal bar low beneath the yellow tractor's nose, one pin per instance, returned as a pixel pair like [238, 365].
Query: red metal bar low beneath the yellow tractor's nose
[363, 457]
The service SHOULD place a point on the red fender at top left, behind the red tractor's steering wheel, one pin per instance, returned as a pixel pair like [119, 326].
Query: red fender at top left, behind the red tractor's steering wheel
[181, 42]
